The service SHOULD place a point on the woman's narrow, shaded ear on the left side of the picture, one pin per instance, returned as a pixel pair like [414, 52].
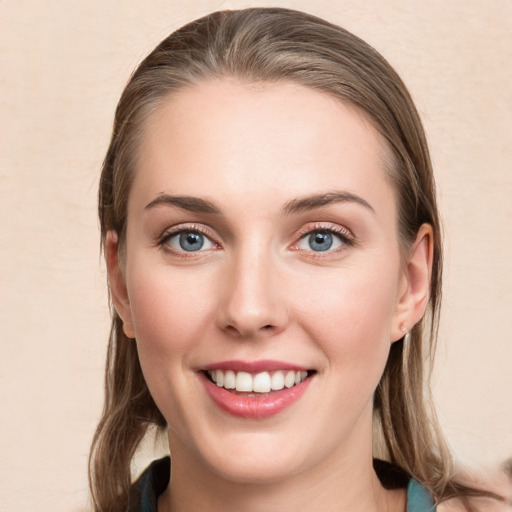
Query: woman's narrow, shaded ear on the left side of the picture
[117, 283]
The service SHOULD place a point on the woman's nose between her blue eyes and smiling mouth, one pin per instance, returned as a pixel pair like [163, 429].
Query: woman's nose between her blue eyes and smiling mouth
[252, 301]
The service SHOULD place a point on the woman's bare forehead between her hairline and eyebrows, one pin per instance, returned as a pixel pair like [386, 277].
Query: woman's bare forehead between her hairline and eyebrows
[230, 138]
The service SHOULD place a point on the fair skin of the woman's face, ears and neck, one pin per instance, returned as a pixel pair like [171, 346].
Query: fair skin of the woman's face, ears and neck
[259, 291]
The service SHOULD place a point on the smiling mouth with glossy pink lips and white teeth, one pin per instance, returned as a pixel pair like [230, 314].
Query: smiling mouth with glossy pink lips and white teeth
[255, 390]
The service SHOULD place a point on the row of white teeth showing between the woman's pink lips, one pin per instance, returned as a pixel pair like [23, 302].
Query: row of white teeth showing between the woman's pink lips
[263, 382]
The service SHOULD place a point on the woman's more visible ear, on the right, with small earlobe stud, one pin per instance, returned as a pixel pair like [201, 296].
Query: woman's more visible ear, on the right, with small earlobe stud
[414, 289]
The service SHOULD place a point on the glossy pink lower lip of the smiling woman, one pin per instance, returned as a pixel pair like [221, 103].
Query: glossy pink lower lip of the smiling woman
[255, 407]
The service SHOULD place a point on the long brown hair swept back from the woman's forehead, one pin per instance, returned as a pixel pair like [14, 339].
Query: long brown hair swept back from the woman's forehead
[274, 45]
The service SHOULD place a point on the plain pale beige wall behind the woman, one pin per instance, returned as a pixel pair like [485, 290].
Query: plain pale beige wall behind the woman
[63, 65]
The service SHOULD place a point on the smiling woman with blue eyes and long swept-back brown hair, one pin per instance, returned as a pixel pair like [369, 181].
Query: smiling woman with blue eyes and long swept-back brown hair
[270, 227]
